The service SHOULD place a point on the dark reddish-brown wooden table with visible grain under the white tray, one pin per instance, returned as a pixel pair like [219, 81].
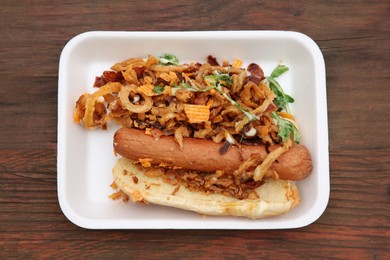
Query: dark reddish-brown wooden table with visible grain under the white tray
[354, 37]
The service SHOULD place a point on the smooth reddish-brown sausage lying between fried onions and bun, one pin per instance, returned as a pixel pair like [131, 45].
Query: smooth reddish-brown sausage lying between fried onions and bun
[203, 155]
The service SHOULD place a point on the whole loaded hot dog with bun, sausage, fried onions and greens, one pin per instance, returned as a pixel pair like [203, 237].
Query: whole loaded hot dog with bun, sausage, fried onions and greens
[205, 115]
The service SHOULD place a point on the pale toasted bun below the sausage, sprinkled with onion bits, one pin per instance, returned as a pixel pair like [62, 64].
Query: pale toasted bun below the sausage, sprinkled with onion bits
[276, 196]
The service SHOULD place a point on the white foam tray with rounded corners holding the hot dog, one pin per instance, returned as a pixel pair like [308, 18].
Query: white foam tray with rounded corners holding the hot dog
[85, 157]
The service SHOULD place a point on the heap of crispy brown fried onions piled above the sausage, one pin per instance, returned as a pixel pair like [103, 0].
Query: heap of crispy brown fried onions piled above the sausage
[195, 100]
